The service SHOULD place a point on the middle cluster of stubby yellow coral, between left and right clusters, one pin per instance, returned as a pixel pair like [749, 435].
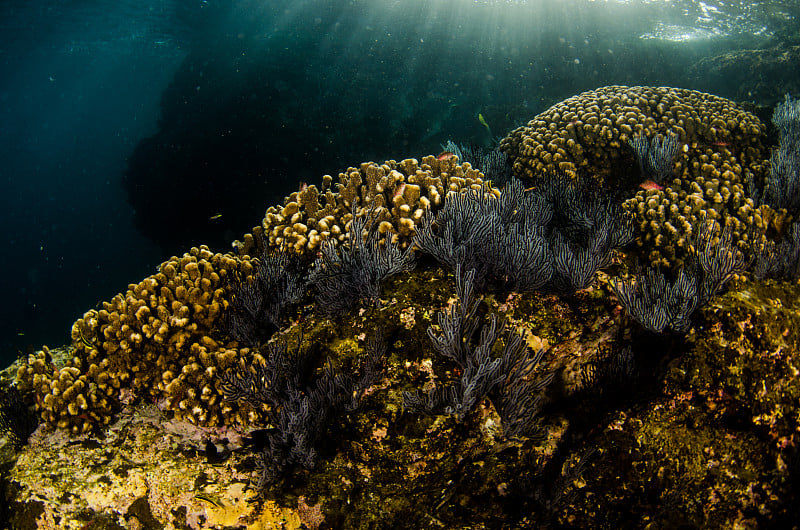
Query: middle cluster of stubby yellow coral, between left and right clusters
[397, 194]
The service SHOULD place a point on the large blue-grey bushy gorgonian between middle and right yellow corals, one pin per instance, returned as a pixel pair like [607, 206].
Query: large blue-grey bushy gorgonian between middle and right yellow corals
[553, 237]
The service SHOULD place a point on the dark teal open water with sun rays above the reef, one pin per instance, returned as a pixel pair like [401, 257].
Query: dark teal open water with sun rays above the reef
[130, 131]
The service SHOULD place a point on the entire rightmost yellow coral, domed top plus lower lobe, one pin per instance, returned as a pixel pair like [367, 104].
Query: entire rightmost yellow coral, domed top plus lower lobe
[722, 150]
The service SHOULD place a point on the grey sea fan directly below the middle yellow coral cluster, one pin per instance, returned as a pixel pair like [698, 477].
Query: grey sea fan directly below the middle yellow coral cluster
[352, 273]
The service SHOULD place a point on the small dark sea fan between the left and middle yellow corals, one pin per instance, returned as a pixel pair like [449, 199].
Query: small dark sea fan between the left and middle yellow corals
[257, 306]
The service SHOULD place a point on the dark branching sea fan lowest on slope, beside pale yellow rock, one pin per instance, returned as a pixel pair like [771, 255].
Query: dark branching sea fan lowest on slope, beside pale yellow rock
[299, 411]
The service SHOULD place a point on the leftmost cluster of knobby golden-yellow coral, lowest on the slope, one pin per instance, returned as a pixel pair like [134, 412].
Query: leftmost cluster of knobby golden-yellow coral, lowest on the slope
[154, 340]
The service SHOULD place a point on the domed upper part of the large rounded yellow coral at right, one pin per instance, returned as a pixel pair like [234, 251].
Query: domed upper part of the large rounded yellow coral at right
[591, 131]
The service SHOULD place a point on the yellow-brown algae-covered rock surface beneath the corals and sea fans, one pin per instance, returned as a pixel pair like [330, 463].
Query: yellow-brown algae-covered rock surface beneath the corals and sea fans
[704, 437]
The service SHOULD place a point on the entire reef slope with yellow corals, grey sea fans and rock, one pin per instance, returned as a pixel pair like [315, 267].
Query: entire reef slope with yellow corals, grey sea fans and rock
[611, 427]
